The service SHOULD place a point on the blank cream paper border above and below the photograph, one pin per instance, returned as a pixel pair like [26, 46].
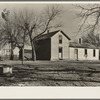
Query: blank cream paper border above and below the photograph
[39, 92]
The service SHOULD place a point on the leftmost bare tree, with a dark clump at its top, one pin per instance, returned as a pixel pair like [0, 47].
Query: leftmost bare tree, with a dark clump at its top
[7, 31]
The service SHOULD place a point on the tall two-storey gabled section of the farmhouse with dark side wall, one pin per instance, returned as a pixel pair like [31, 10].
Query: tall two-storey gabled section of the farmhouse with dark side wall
[53, 46]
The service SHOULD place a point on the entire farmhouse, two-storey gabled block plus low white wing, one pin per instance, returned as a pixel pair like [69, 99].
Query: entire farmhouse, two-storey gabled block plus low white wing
[57, 46]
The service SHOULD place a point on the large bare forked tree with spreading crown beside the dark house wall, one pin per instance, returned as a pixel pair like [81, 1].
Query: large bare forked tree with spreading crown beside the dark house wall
[36, 24]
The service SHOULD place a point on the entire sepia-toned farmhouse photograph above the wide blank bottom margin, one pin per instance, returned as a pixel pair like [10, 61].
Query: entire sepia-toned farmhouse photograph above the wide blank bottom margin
[50, 44]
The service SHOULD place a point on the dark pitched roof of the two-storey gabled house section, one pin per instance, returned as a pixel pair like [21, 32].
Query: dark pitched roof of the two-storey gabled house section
[49, 35]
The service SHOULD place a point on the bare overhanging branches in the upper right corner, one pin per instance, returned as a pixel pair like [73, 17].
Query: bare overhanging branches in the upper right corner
[90, 18]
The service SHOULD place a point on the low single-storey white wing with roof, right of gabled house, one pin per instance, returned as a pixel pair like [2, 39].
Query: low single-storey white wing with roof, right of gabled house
[83, 51]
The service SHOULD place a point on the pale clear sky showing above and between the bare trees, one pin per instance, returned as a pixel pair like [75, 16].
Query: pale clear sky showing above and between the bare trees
[68, 18]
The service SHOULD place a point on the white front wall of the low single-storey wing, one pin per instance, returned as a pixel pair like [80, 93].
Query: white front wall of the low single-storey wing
[81, 54]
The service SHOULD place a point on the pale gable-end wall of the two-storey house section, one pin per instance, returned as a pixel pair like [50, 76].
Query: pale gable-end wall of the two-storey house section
[55, 45]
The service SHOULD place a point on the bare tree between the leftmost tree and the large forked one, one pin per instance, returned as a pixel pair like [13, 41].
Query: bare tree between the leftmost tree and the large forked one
[20, 37]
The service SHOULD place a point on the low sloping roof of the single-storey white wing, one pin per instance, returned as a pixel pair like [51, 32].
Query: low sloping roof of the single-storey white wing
[83, 45]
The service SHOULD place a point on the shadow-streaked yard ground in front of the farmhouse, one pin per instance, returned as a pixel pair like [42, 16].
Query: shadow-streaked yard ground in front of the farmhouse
[52, 73]
